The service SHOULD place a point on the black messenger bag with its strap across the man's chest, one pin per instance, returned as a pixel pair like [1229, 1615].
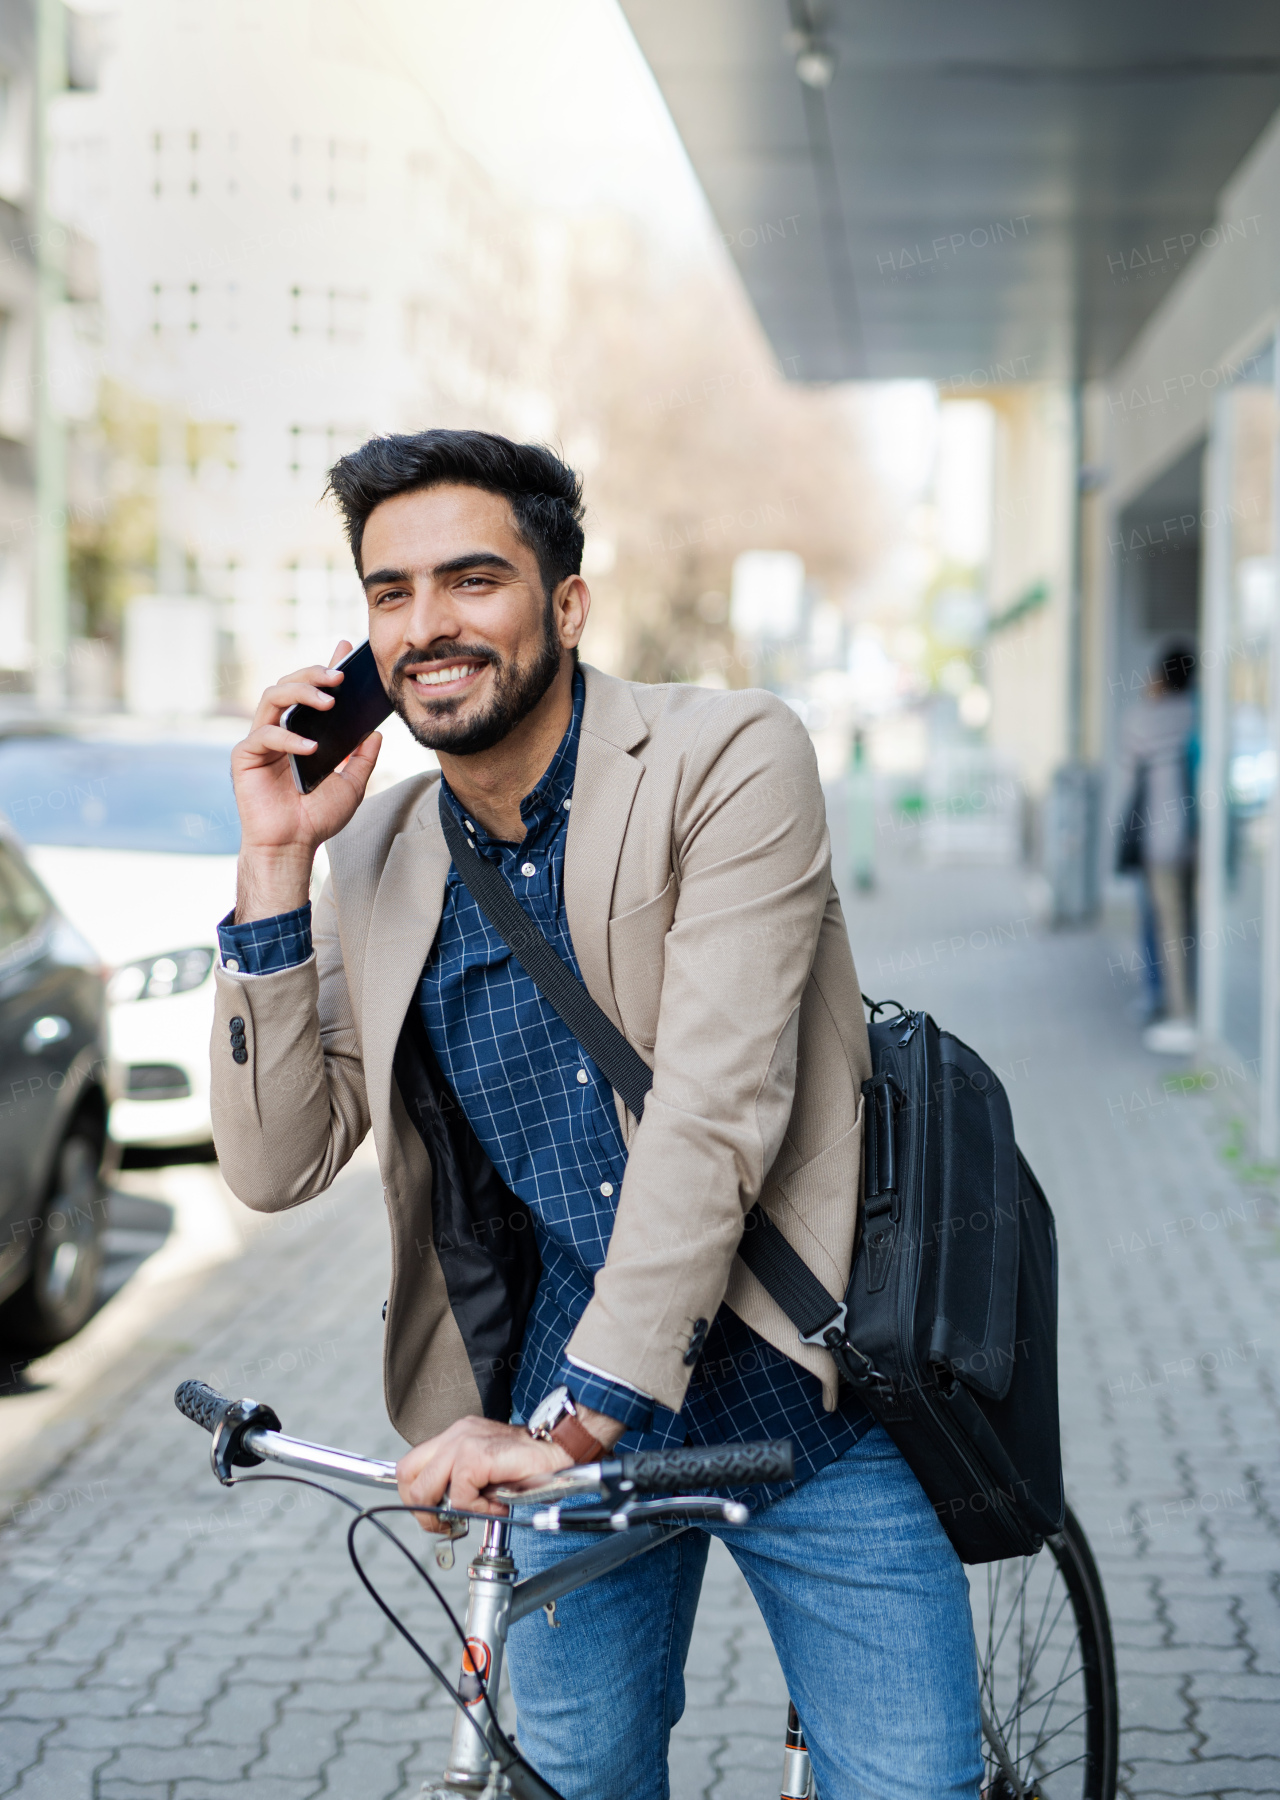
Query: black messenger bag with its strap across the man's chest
[950, 1324]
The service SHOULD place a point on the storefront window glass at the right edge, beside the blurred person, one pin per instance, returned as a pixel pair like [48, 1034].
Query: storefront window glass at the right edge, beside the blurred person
[1250, 753]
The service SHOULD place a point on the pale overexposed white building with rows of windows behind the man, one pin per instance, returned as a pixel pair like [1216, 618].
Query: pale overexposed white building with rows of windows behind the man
[294, 255]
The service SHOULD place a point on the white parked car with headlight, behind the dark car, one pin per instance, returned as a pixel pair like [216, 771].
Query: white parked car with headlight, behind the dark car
[138, 845]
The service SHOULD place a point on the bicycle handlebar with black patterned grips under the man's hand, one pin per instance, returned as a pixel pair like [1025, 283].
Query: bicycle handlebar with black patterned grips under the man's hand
[248, 1434]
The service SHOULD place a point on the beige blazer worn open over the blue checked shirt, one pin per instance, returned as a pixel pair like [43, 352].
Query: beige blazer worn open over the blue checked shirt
[707, 924]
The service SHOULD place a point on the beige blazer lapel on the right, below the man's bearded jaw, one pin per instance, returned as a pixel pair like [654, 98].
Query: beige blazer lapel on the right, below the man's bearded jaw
[604, 789]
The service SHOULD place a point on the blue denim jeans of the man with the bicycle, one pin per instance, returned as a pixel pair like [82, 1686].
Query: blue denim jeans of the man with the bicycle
[869, 1610]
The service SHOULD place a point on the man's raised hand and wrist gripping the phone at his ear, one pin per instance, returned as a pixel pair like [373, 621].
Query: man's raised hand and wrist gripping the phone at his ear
[284, 822]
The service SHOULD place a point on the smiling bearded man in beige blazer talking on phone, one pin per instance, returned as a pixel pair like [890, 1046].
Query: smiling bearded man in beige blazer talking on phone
[671, 843]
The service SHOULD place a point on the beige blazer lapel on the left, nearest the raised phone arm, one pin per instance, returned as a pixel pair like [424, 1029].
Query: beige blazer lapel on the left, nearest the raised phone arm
[402, 928]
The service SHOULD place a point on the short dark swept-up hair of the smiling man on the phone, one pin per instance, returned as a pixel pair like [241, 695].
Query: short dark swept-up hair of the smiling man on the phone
[543, 492]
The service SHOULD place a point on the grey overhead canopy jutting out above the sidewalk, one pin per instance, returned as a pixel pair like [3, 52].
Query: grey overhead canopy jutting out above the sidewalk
[986, 192]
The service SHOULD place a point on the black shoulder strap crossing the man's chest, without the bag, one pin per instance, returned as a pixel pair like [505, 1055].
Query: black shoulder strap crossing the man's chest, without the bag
[771, 1259]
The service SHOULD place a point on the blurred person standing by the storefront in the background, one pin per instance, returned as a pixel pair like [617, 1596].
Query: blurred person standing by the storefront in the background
[1158, 744]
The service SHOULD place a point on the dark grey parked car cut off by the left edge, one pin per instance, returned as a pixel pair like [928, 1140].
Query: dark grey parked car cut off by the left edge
[53, 1113]
